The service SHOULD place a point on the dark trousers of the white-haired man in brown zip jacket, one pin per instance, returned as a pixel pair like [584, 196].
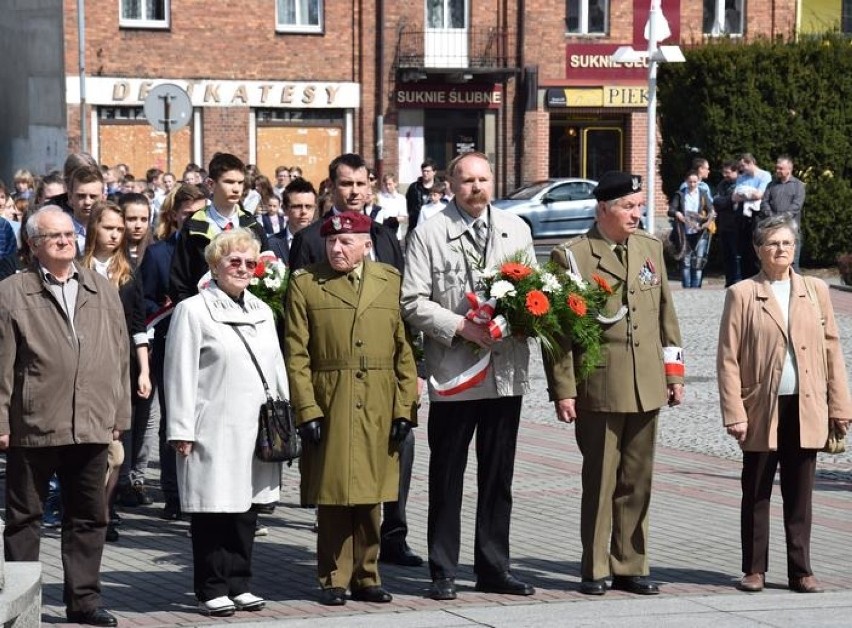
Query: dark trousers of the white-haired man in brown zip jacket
[82, 472]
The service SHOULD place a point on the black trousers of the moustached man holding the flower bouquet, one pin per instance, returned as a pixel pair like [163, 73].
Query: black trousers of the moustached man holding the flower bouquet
[451, 427]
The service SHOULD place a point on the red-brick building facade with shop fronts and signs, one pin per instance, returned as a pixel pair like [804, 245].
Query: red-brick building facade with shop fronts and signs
[529, 82]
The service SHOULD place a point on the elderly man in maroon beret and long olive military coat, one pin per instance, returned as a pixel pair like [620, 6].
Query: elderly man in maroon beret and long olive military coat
[354, 387]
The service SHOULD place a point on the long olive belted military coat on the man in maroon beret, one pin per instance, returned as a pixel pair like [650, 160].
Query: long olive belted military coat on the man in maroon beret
[349, 361]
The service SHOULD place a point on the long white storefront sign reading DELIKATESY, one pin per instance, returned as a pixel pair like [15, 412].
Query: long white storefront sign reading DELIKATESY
[131, 92]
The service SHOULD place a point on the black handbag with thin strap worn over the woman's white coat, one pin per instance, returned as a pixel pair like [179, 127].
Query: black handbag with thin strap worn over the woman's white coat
[277, 438]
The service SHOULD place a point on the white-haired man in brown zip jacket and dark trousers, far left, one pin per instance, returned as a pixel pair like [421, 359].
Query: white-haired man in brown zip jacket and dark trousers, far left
[64, 396]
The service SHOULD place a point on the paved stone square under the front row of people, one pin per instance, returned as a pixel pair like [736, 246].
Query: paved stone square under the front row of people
[694, 538]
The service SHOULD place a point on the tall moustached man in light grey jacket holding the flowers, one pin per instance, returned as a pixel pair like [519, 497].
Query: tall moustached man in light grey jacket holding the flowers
[445, 258]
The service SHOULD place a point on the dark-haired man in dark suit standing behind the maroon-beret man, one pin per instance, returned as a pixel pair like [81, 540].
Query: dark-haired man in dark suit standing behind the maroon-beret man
[351, 191]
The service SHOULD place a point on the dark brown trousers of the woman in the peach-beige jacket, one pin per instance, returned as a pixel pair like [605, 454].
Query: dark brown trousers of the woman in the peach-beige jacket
[798, 468]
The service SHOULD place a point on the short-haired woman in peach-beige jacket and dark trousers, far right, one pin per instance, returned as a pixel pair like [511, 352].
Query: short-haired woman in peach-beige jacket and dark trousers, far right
[781, 381]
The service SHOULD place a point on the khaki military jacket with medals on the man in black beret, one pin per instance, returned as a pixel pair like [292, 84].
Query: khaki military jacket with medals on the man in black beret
[631, 376]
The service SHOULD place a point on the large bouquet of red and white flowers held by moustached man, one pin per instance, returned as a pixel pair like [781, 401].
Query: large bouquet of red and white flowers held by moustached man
[546, 303]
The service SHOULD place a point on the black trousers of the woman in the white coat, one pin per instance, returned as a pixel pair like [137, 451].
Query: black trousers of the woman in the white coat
[222, 544]
